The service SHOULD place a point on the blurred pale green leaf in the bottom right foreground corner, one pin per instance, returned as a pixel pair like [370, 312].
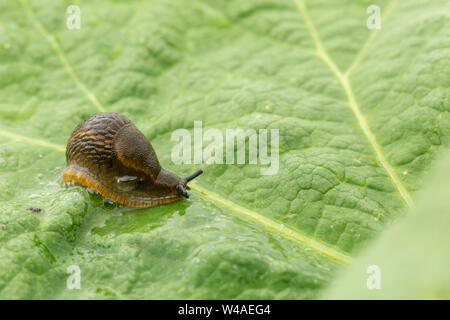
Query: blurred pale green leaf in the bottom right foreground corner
[412, 256]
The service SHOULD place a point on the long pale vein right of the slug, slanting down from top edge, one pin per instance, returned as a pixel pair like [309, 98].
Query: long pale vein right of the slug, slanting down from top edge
[353, 104]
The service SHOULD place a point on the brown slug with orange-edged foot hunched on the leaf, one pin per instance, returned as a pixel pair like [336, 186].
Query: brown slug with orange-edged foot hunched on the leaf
[107, 153]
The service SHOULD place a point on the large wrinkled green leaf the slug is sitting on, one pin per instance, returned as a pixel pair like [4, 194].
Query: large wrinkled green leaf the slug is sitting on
[362, 115]
